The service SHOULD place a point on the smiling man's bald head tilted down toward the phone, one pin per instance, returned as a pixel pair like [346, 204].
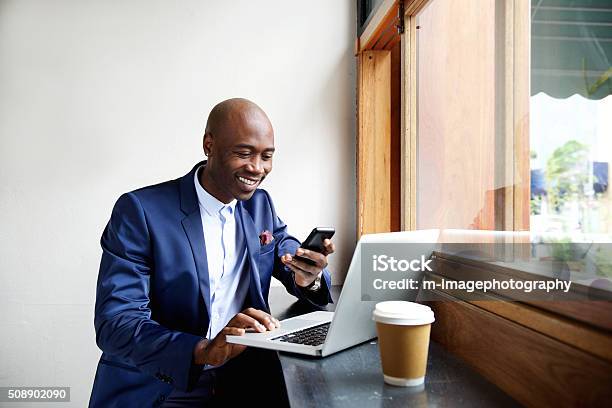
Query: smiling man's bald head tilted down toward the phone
[239, 143]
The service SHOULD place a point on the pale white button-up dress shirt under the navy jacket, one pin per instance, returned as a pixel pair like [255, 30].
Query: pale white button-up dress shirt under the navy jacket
[226, 255]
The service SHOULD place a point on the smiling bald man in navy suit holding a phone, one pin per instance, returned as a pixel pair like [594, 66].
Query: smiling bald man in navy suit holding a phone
[189, 261]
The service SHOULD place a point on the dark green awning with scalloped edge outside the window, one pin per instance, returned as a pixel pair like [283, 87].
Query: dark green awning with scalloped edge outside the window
[571, 48]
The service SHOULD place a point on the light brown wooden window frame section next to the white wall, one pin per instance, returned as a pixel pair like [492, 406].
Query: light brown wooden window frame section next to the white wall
[379, 116]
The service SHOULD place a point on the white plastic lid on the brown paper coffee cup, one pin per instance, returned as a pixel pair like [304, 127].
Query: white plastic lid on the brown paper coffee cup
[402, 313]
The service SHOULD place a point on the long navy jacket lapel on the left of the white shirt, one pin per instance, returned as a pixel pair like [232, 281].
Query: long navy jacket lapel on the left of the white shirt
[192, 224]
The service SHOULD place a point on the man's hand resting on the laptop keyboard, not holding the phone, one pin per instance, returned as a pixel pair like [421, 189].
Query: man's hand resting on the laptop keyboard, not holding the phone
[218, 351]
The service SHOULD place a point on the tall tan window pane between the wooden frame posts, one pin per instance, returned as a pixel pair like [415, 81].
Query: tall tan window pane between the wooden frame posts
[456, 115]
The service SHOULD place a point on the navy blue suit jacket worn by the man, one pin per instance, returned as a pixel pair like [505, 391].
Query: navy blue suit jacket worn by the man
[152, 300]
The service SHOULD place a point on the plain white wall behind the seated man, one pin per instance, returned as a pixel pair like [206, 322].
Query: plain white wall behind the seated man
[101, 97]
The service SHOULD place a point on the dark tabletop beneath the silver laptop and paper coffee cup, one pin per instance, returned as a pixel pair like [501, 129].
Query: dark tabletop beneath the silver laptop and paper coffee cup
[353, 377]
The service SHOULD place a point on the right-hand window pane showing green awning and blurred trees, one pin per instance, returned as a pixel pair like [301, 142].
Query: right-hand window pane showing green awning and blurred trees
[571, 117]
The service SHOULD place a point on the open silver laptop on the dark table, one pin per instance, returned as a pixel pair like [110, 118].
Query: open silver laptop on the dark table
[323, 333]
